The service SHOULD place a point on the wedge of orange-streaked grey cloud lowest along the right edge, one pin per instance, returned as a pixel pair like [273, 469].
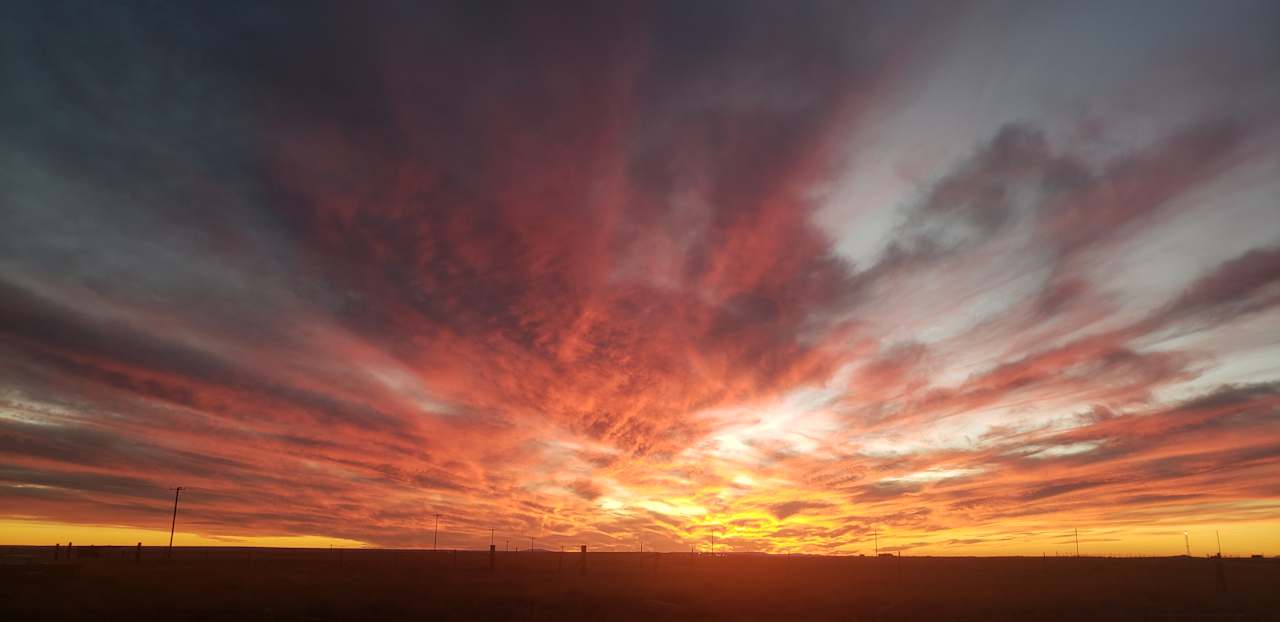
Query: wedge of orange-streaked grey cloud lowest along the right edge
[1214, 443]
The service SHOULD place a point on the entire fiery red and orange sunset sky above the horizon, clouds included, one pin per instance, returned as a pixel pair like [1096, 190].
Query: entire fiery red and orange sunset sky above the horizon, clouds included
[970, 276]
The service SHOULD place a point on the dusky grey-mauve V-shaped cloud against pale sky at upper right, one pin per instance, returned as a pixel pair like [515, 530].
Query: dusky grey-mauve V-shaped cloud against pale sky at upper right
[1072, 205]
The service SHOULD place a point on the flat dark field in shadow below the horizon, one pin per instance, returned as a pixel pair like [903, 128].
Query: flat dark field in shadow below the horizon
[319, 586]
